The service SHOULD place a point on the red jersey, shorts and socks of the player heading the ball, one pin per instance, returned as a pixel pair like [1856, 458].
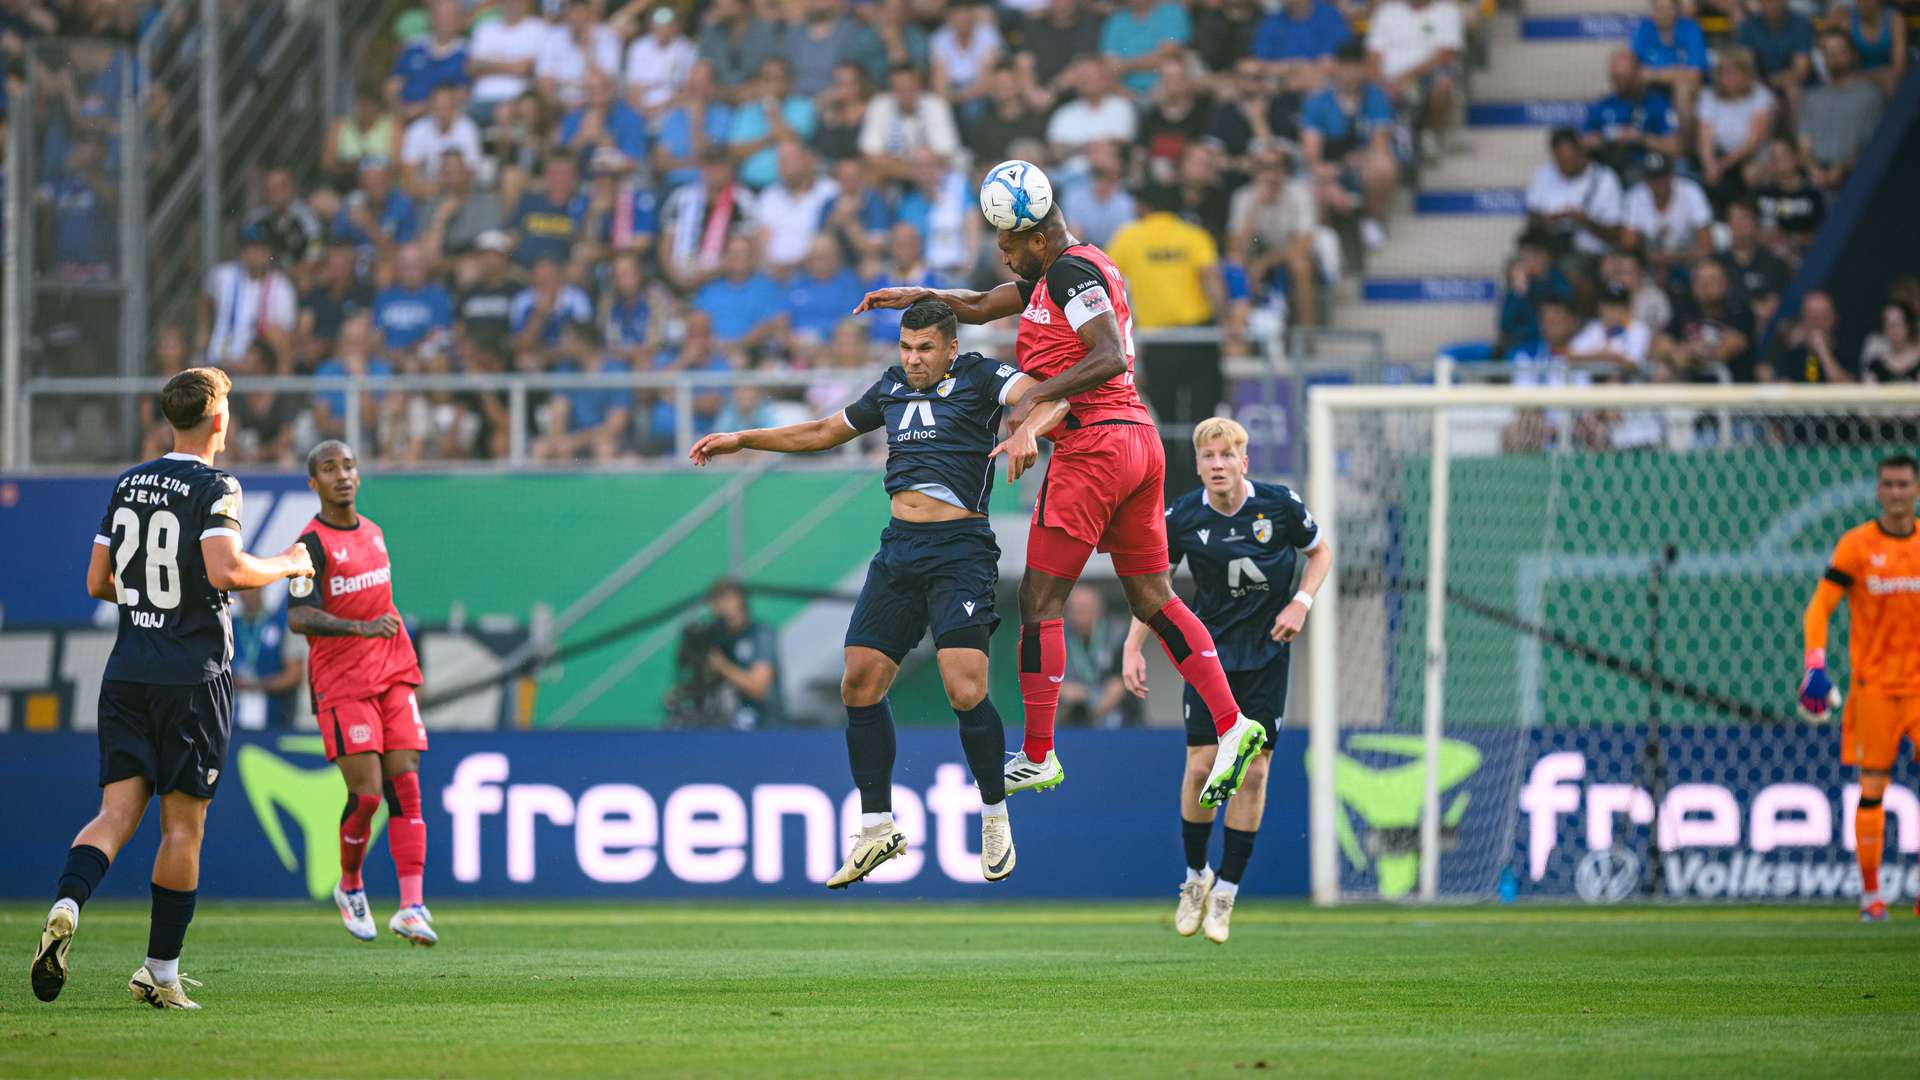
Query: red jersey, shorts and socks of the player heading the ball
[1105, 489]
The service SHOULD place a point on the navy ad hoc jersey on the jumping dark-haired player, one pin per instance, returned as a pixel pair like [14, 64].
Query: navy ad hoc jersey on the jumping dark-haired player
[938, 439]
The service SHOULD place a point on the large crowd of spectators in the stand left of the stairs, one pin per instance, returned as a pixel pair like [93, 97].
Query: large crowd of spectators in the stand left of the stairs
[604, 187]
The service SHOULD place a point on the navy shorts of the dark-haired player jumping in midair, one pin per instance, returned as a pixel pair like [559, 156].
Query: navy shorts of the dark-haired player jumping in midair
[940, 576]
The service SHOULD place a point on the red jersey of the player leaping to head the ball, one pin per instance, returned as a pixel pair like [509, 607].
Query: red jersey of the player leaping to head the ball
[1078, 287]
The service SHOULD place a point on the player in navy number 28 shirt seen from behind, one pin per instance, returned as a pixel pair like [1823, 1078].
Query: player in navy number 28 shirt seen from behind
[168, 552]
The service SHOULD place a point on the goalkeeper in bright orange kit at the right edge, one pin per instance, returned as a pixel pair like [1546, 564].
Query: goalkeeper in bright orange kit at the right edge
[1877, 570]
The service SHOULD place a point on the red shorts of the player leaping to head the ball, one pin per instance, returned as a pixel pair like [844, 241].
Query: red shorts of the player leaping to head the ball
[1105, 489]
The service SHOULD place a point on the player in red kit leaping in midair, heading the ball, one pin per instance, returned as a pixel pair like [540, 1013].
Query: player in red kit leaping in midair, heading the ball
[1103, 485]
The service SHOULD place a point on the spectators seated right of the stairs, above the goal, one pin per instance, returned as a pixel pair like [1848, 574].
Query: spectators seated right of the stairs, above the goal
[1664, 233]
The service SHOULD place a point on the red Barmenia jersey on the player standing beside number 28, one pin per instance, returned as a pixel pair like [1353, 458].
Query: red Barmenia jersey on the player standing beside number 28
[352, 579]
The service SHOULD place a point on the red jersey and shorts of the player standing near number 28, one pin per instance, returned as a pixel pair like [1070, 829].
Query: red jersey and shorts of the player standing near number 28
[362, 687]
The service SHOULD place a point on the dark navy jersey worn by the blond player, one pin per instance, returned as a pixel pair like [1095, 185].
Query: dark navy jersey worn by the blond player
[1243, 568]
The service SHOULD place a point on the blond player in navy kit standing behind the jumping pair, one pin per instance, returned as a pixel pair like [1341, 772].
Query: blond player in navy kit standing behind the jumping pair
[1243, 543]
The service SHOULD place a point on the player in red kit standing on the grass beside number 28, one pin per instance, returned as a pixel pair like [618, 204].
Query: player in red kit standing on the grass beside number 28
[364, 675]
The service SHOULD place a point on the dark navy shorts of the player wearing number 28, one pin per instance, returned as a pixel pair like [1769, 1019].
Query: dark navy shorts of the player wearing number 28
[172, 735]
